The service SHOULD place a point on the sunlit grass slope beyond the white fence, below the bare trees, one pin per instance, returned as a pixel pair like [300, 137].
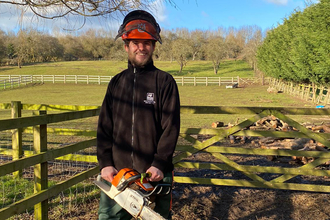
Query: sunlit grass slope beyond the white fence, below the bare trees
[228, 68]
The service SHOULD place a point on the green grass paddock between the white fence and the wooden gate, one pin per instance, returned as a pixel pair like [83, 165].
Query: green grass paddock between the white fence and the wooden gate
[71, 94]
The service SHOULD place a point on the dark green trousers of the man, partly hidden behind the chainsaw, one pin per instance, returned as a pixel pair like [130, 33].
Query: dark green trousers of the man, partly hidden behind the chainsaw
[109, 209]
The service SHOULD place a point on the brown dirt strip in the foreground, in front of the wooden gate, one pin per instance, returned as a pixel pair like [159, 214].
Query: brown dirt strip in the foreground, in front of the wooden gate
[206, 202]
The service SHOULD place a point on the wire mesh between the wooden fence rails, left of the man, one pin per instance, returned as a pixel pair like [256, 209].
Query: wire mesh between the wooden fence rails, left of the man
[67, 203]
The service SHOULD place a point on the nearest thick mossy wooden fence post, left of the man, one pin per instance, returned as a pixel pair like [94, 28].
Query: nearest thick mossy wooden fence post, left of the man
[40, 170]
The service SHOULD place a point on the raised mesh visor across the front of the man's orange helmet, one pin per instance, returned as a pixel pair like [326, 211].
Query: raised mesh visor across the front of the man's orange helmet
[139, 29]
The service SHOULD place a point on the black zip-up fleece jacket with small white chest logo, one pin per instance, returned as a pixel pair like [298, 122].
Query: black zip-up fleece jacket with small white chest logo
[139, 121]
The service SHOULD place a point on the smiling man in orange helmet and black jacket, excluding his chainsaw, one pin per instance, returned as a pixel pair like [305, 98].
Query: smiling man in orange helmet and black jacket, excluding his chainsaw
[139, 121]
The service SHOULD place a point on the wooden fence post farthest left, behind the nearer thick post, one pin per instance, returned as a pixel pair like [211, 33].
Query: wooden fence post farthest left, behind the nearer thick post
[16, 112]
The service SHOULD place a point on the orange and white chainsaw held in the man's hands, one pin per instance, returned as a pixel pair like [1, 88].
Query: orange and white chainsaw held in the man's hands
[134, 193]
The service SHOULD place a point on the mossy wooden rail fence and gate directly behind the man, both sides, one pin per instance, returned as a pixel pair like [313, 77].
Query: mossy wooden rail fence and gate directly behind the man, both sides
[191, 144]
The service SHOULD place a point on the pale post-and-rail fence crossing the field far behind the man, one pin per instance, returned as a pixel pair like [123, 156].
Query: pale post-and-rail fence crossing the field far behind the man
[316, 94]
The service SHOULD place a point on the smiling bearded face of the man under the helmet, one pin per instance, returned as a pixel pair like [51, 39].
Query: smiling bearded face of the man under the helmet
[140, 52]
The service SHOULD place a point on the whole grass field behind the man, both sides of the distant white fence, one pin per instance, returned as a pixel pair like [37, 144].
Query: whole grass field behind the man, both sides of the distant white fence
[70, 94]
